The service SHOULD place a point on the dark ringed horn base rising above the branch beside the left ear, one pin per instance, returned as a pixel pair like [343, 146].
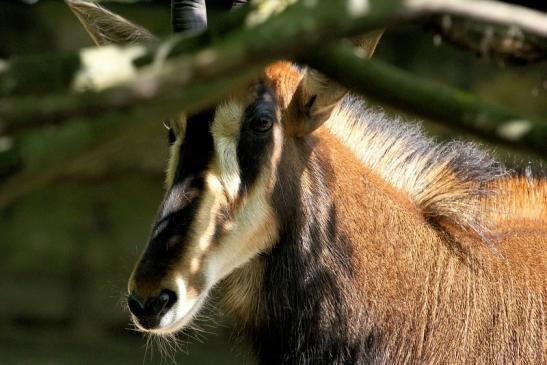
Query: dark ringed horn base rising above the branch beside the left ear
[188, 15]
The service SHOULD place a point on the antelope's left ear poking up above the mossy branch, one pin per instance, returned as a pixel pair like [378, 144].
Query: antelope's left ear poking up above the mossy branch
[105, 27]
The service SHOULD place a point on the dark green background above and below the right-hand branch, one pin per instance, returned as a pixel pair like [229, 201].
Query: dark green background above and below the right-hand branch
[521, 88]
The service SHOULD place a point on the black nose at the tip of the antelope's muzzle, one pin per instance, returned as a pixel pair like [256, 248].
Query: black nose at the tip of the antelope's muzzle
[150, 311]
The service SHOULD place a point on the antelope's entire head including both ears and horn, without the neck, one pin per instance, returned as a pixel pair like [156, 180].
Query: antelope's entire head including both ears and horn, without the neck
[220, 210]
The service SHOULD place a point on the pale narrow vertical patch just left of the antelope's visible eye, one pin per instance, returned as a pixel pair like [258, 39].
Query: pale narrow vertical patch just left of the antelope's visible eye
[225, 130]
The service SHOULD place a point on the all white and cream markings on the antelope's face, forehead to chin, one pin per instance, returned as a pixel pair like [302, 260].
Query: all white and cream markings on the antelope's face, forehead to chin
[251, 229]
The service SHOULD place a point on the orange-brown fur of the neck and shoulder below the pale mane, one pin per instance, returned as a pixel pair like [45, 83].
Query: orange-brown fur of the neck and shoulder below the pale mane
[452, 301]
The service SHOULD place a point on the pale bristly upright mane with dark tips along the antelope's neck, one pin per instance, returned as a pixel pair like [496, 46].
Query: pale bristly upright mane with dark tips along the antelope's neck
[445, 180]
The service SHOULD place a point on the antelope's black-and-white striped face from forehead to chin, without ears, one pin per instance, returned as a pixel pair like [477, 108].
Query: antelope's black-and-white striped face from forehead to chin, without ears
[216, 214]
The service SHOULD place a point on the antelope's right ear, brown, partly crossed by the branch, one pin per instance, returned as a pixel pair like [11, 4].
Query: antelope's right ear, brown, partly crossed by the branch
[317, 96]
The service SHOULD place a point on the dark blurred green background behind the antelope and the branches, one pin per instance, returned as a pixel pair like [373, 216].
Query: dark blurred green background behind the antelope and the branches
[66, 250]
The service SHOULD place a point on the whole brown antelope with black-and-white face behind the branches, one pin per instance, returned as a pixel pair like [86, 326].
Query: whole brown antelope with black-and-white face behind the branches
[338, 235]
